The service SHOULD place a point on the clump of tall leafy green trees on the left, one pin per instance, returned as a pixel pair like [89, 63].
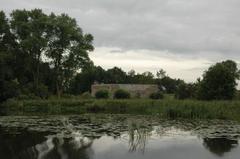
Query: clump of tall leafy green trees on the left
[28, 36]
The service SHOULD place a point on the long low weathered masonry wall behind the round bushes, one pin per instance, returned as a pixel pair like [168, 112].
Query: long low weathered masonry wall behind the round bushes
[136, 90]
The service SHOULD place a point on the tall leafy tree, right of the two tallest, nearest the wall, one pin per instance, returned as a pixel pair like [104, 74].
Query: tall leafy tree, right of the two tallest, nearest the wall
[68, 49]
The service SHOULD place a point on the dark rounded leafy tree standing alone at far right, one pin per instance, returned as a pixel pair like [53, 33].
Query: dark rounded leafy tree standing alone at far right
[219, 81]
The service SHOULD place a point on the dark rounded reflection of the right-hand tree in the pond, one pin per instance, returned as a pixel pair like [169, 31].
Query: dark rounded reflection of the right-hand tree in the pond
[219, 146]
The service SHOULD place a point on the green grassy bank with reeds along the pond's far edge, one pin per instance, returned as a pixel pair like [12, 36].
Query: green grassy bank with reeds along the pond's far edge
[168, 108]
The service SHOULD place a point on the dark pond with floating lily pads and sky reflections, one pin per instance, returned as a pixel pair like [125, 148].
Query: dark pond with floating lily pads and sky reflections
[117, 137]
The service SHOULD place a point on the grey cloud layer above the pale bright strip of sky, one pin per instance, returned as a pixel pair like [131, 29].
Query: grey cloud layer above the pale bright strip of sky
[207, 28]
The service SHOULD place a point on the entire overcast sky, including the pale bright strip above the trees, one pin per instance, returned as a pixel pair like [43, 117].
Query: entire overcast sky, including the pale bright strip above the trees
[184, 37]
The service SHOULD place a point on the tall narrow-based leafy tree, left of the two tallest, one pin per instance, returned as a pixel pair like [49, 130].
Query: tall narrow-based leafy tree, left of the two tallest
[30, 29]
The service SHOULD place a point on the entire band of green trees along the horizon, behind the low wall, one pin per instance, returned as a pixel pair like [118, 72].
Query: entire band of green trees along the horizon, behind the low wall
[47, 54]
